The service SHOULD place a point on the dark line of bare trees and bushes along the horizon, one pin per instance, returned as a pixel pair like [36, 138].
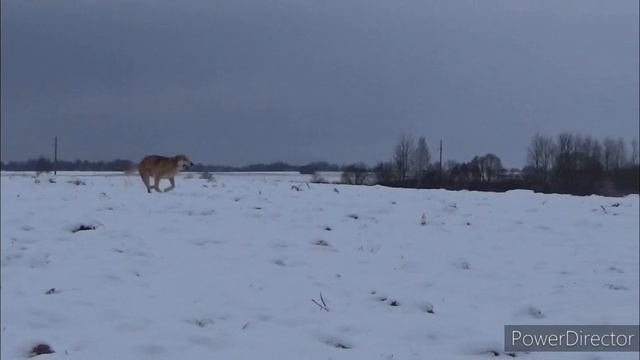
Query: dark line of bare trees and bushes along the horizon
[568, 164]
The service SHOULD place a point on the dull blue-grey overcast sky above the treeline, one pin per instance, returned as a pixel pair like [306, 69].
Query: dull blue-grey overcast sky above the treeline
[240, 81]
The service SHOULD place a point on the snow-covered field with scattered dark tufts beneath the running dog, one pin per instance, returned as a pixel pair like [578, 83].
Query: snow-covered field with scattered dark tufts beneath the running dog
[228, 268]
